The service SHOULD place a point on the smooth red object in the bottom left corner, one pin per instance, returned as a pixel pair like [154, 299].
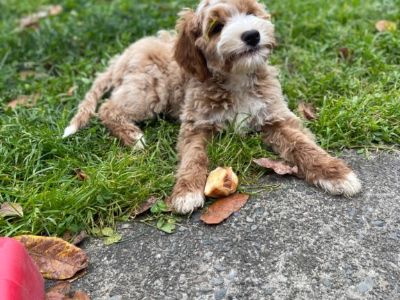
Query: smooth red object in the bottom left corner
[20, 279]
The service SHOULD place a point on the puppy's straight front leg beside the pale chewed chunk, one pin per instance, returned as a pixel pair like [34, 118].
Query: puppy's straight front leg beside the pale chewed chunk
[188, 193]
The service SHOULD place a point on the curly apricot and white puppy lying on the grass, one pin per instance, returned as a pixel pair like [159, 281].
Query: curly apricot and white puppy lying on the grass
[213, 72]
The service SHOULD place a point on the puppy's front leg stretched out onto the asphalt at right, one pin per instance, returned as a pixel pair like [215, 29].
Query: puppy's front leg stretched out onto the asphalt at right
[294, 144]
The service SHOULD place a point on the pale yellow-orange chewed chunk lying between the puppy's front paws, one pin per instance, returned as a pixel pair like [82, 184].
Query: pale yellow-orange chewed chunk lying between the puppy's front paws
[221, 182]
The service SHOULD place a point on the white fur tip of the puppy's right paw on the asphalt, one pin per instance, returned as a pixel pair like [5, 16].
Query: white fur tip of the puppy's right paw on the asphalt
[348, 186]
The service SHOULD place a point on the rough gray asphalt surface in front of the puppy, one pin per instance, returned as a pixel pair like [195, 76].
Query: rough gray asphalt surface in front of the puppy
[293, 243]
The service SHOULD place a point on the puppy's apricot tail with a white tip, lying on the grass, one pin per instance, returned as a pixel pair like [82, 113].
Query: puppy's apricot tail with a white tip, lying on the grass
[87, 107]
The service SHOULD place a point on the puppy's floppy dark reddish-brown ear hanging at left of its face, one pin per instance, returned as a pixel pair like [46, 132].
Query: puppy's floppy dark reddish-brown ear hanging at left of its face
[187, 54]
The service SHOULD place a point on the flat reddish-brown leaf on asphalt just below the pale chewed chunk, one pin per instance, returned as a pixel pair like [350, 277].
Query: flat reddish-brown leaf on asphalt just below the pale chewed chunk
[222, 208]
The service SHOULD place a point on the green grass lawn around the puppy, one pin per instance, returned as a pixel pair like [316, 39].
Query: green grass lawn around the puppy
[358, 101]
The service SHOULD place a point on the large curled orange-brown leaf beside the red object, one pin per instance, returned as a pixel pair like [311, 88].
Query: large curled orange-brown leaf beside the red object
[56, 258]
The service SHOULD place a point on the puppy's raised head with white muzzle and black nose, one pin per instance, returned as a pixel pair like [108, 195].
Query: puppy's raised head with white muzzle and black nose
[228, 36]
